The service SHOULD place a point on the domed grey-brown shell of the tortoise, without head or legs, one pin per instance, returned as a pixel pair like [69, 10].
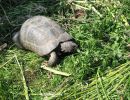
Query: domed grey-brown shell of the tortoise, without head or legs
[42, 35]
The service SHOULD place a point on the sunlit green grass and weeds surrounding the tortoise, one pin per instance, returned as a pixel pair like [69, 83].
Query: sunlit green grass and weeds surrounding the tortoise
[100, 68]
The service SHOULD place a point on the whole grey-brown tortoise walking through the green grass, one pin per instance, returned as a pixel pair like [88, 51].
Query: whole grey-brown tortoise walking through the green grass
[44, 36]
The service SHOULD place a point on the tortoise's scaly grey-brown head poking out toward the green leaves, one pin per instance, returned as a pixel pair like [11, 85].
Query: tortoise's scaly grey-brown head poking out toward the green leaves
[68, 47]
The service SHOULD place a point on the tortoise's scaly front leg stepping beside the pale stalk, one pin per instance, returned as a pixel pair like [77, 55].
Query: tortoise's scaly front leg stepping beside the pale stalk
[53, 59]
